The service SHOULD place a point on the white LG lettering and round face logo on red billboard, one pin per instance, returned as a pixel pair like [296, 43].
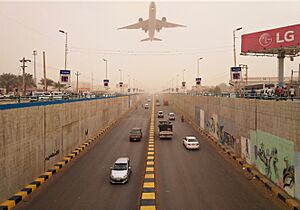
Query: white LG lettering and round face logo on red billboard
[266, 39]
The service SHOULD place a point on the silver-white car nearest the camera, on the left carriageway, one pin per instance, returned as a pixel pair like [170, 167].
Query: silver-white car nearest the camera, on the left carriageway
[120, 171]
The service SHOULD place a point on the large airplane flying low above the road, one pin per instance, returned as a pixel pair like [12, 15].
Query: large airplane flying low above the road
[152, 24]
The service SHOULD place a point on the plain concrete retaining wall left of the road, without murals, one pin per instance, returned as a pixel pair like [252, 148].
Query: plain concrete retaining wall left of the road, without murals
[32, 139]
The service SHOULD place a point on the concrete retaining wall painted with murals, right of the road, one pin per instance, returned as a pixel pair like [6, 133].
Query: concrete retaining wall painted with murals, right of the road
[264, 133]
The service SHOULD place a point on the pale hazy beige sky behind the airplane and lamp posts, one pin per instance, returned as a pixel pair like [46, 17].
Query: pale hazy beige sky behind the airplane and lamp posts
[93, 35]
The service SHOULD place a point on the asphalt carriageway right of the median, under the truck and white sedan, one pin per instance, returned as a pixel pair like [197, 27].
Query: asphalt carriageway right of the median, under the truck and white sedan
[203, 179]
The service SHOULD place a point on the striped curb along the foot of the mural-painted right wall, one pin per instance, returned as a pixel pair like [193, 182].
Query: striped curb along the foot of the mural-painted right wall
[278, 192]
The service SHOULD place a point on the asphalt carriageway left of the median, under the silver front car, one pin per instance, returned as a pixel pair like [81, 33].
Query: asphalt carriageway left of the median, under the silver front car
[85, 184]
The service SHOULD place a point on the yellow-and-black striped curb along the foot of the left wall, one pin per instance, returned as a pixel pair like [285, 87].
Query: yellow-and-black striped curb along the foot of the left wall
[32, 186]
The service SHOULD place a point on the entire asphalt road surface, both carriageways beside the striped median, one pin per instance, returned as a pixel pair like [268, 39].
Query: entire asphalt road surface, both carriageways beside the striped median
[185, 180]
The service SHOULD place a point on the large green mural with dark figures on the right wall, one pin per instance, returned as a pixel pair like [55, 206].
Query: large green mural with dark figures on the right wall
[274, 157]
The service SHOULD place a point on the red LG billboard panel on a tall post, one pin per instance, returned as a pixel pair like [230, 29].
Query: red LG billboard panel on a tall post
[270, 41]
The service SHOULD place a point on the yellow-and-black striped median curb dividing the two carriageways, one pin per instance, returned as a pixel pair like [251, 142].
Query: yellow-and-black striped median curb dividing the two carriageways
[148, 194]
